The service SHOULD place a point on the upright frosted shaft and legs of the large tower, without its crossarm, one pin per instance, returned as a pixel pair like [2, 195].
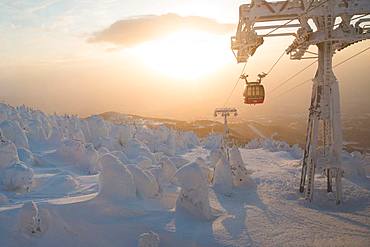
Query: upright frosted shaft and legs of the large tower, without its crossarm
[324, 132]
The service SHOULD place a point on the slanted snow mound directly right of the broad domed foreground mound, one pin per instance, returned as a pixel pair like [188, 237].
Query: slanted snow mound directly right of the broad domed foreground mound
[146, 183]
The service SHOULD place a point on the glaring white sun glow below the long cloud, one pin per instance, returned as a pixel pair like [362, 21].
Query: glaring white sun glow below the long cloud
[186, 55]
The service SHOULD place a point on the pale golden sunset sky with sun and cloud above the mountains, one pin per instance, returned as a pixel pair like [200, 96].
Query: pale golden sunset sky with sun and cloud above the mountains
[164, 58]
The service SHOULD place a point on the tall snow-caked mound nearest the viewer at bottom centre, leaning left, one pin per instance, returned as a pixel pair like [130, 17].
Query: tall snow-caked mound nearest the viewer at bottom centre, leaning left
[193, 197]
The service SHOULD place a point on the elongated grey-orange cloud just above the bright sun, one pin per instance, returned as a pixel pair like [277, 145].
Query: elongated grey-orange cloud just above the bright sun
[133, 31]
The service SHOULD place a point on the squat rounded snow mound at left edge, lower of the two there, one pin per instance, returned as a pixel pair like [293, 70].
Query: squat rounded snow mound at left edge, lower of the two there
[17, 177]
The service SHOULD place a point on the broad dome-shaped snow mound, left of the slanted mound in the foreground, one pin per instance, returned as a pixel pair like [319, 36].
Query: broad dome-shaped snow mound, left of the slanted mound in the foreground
[116, 181]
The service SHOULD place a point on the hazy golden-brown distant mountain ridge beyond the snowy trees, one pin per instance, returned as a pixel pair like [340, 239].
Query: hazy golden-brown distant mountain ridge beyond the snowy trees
[291, 129]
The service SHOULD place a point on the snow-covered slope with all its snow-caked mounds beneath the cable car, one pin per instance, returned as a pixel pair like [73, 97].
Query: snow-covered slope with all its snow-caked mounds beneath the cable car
[65, 181]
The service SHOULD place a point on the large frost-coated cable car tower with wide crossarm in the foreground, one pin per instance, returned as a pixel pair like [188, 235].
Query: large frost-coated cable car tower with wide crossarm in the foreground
[331, 25]
